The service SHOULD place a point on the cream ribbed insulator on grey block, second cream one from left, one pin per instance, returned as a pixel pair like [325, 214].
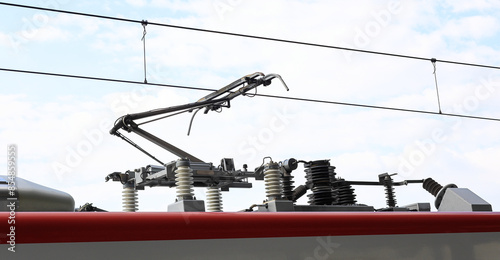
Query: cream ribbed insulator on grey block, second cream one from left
[184, 180]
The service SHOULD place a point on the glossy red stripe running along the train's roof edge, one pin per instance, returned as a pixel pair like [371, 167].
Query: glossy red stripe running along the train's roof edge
[55, 227]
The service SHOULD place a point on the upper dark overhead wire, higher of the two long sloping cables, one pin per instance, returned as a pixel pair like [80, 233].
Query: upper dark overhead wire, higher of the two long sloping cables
[251, 36]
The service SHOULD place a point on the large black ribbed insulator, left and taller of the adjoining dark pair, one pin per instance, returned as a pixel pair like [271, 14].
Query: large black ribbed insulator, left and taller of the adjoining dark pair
[319, 175]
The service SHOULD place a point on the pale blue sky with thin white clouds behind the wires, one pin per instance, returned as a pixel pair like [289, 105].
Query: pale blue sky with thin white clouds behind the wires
[61, 125]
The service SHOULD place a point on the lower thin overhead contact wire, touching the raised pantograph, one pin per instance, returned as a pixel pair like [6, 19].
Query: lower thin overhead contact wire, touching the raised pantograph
[257, 95]
